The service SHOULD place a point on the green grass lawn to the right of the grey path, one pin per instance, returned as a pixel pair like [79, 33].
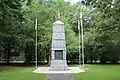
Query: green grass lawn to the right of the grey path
[99, 72]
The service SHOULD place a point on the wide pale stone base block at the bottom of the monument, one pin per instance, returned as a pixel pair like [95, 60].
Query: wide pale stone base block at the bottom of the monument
[58, 65]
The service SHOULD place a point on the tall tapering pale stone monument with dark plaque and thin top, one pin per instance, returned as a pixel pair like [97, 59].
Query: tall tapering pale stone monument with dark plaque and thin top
[58, 50]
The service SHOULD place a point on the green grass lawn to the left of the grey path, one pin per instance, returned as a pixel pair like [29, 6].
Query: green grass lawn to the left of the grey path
[20, 73]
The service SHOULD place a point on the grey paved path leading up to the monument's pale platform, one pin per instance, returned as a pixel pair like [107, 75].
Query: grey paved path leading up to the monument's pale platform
[61, 76]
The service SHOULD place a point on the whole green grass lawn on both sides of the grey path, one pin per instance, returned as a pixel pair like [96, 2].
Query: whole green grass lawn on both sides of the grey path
[95, 72]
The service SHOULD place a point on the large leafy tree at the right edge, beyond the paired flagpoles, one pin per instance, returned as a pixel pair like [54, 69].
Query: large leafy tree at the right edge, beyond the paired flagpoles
[105, 19]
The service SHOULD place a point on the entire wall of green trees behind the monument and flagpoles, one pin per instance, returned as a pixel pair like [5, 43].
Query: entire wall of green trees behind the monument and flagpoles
[101, 21]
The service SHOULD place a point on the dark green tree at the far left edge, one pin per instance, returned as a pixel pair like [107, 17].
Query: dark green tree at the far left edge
[11, 22]
